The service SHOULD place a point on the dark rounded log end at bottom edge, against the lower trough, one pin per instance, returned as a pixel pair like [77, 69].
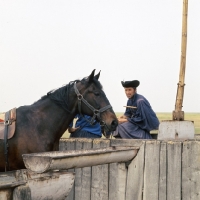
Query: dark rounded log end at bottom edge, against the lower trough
[22, 192]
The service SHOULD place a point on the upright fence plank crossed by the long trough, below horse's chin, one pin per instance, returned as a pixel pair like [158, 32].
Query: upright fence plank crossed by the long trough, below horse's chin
[99, 189]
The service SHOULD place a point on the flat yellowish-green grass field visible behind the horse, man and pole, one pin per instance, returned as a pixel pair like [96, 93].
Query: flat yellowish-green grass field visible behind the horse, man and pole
[195, 117]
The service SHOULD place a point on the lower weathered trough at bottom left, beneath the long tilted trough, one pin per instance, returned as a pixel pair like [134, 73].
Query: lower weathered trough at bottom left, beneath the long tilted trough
[23, 184]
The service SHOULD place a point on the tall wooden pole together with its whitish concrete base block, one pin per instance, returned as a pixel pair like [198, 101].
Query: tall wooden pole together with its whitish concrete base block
[178, 128]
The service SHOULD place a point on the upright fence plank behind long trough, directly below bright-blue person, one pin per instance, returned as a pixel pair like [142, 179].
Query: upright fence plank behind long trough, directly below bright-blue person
[83, 175]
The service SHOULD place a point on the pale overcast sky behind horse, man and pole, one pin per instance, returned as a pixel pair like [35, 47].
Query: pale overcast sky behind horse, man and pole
[46, 44]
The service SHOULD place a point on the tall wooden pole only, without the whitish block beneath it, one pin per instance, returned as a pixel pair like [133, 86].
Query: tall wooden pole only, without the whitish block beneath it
[178, 114]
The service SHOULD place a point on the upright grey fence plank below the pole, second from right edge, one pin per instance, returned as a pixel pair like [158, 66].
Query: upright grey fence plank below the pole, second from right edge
[174, 151]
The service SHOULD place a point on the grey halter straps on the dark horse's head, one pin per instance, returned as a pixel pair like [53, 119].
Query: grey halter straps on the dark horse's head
[96, 113]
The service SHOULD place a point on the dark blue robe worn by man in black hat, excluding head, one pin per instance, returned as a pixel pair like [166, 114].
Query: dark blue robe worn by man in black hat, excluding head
[141, 120]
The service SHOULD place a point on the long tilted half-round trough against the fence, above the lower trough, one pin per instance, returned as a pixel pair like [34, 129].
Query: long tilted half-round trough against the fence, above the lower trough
[59, 160]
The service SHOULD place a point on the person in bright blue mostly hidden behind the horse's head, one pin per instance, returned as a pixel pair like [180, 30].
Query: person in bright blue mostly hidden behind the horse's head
[83, 128]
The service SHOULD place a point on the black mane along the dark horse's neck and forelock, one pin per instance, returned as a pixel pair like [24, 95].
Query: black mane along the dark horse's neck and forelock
[60, 96]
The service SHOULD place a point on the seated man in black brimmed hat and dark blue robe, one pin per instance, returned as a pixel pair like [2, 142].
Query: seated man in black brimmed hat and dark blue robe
[139, 118]
